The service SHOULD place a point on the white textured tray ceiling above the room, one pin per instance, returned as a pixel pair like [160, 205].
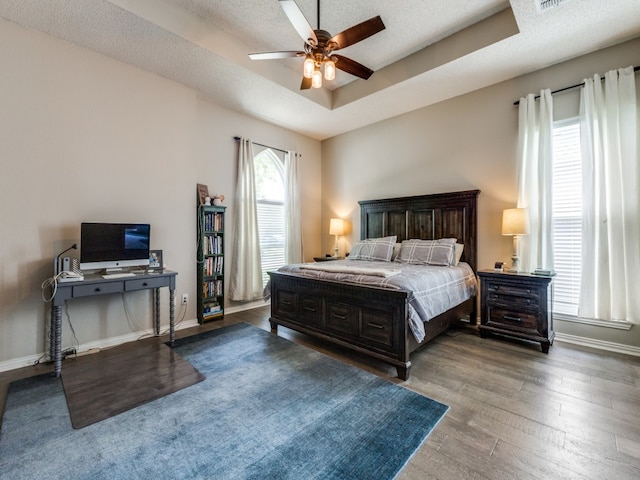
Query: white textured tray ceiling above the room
[431, 50]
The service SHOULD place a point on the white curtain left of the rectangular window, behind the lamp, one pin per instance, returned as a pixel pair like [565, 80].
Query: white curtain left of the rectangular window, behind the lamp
[535, 151]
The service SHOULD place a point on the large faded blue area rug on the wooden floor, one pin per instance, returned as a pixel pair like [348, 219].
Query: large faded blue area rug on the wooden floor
[268, 408]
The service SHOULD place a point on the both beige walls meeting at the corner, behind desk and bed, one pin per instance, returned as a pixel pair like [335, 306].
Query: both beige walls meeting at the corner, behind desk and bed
[83, 137]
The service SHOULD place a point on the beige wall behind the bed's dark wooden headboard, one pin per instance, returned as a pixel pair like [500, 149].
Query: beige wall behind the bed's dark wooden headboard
[468, 142]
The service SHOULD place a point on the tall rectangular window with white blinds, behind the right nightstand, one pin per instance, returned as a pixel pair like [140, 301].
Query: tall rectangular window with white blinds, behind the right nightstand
[567, 215]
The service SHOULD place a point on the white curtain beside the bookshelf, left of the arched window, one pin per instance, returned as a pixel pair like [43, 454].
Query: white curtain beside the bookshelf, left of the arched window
[245, 281]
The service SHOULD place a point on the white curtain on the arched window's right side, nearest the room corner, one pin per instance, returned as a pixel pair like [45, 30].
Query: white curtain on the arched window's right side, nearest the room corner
[293, 217]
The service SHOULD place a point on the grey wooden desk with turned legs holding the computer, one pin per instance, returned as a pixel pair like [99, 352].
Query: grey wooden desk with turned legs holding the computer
[94, 285]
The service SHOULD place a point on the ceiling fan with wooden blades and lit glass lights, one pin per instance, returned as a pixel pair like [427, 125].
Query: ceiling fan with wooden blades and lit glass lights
[319, 47]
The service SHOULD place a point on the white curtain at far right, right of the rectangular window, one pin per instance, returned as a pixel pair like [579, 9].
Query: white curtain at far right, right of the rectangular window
[611, 198]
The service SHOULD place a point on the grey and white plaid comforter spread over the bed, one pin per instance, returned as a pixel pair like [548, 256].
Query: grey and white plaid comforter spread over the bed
[433, 290]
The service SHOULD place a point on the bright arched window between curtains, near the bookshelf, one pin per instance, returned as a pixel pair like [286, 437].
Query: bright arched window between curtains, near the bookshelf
[269, 173]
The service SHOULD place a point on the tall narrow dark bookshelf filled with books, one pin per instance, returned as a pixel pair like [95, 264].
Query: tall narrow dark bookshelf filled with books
[210, 272]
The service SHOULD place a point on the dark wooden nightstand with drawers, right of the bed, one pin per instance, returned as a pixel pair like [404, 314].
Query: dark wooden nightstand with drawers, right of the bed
[518, 305]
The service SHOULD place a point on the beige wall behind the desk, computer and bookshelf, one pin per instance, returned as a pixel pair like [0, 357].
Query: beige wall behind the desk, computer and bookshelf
[87, 138]
